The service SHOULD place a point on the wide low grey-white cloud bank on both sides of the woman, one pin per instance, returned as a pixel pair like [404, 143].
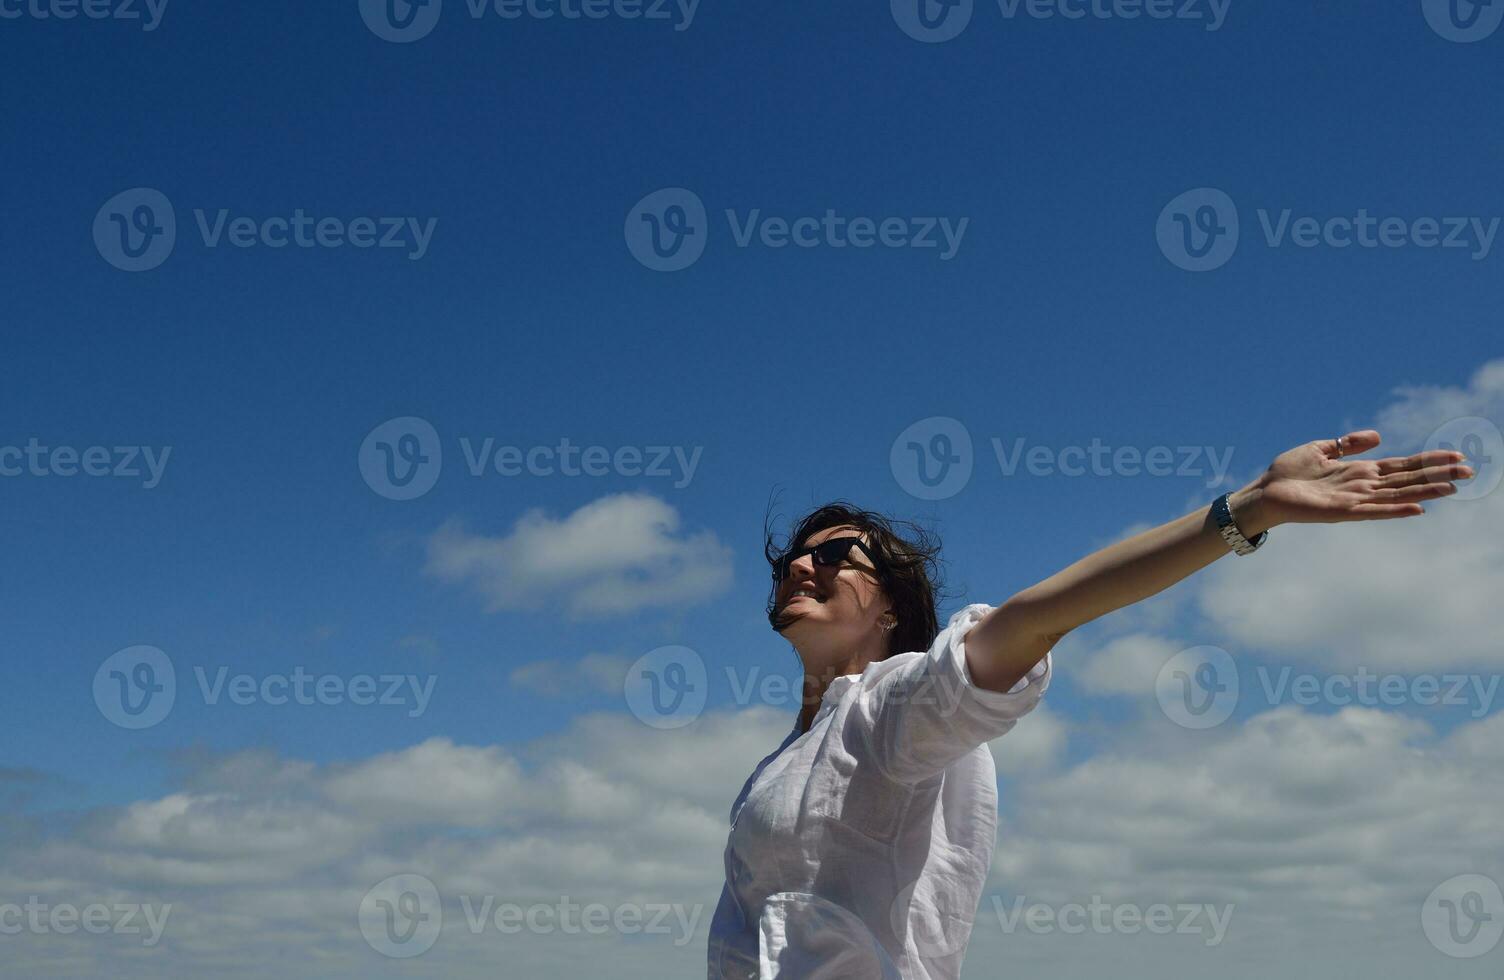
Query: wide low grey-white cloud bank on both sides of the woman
[1326, 833]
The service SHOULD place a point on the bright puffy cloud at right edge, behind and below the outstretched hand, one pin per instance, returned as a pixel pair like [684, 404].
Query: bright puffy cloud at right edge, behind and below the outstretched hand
[1418, 594]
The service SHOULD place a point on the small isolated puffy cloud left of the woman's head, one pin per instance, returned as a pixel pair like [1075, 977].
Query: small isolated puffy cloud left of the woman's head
[613, 557]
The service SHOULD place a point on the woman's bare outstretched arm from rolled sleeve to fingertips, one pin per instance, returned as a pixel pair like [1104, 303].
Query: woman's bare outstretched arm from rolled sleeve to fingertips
[1308, 485]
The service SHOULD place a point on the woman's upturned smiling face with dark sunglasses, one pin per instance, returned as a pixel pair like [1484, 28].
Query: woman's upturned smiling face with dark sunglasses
[835, 609]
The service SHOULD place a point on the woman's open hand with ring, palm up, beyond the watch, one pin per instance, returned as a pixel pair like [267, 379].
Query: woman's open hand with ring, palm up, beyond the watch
[1315, 483]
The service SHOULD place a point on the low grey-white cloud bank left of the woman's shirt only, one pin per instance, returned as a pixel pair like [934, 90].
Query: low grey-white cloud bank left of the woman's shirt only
[259, 854]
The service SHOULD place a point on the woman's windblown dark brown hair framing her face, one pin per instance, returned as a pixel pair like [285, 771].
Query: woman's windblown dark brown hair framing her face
[911, 564]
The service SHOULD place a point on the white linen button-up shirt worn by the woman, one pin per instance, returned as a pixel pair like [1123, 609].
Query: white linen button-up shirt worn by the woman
[860, 848]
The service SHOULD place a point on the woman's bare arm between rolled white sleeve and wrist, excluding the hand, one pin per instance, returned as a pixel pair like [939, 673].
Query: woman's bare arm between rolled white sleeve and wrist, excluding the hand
[1017, 635]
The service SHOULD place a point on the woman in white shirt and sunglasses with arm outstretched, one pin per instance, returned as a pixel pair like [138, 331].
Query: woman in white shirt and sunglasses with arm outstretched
[861, 845]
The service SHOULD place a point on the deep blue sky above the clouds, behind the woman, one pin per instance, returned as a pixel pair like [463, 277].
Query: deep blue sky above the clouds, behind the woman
[524, 147]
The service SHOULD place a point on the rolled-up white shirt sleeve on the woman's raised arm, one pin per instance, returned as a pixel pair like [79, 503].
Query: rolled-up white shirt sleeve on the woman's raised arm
[926, 713]
